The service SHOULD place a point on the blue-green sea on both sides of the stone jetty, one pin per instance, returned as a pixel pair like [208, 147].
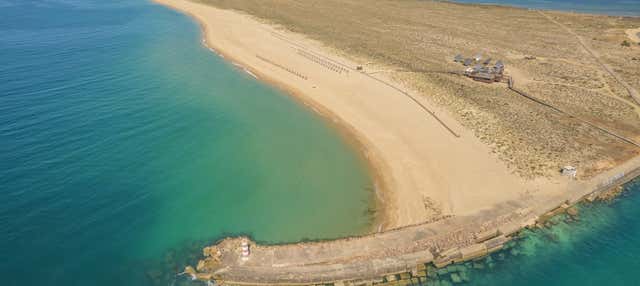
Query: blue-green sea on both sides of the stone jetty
[126, 146]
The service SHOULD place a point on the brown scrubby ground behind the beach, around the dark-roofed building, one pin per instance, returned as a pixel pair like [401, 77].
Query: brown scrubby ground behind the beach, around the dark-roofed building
[406, 37]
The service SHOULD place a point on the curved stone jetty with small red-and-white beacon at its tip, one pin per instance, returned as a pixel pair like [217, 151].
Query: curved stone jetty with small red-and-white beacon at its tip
[400, 256]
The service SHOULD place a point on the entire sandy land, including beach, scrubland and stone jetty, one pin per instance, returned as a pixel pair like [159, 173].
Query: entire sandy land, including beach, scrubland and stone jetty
[460, 166]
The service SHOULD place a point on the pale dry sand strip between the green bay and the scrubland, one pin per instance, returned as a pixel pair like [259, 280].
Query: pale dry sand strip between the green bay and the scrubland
[423, 170]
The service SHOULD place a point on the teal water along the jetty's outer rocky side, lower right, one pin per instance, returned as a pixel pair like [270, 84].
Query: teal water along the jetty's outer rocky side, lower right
[599, 247]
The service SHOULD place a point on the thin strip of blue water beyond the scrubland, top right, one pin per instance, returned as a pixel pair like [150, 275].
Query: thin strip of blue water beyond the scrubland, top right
[609, 7]
